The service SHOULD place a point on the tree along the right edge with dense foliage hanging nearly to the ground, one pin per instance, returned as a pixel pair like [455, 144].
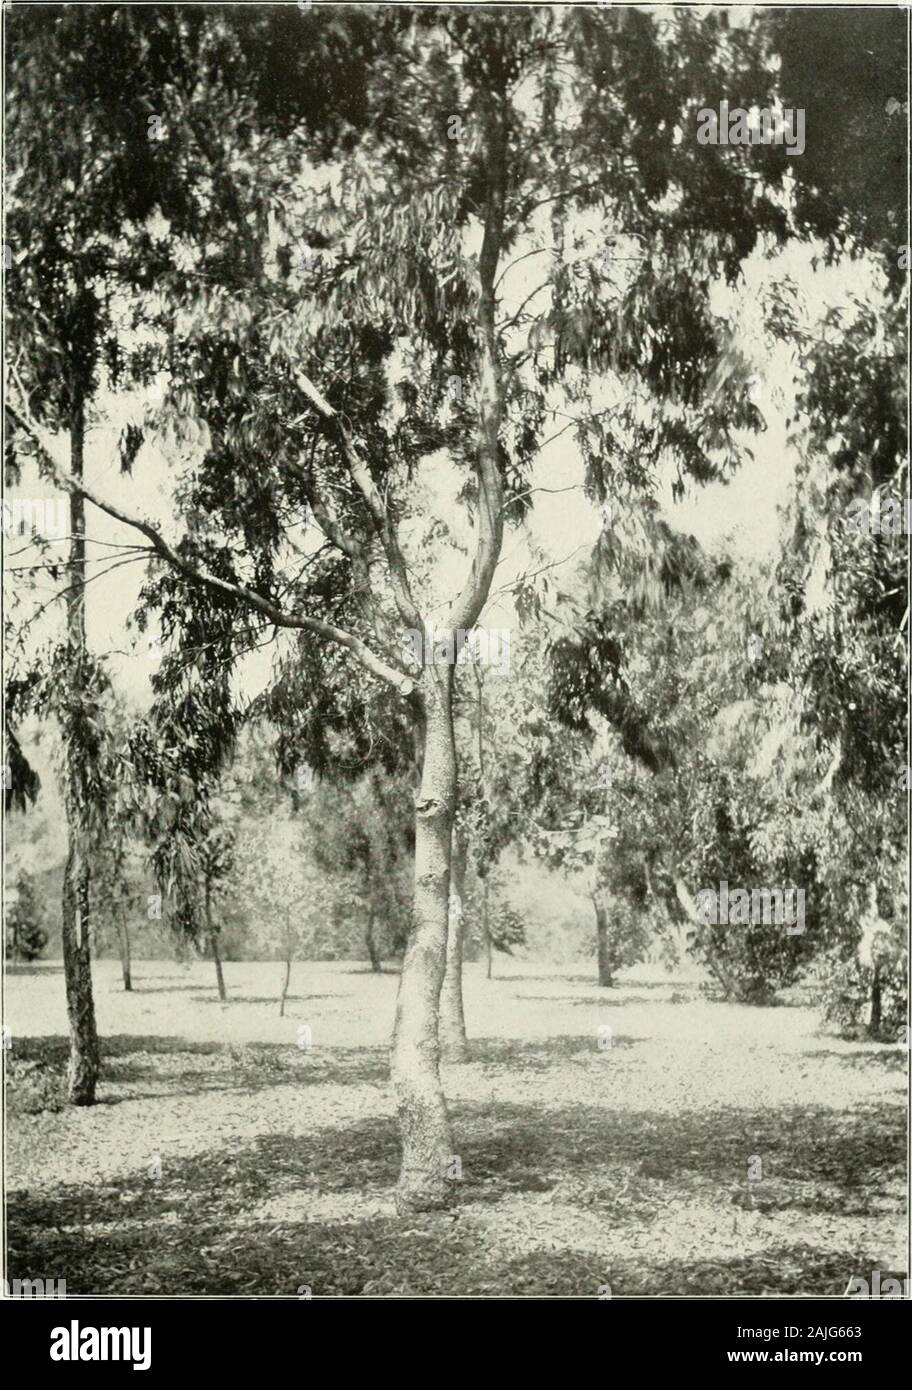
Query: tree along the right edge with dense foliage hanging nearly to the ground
[843, 583]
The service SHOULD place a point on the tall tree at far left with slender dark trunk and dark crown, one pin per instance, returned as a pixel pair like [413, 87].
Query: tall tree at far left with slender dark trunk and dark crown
[80, 169]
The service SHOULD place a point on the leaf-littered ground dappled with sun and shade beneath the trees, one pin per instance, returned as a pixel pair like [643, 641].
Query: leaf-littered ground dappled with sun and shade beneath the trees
[226, 1159]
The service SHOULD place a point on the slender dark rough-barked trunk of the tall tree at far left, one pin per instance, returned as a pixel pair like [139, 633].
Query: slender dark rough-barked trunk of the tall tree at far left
[84, 1040]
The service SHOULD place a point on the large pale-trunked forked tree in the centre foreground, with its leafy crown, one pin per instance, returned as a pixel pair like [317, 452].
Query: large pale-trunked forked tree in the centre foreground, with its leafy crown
[357, 319]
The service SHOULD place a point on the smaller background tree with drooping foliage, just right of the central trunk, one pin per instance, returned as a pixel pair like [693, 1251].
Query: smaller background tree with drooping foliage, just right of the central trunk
[561, 787]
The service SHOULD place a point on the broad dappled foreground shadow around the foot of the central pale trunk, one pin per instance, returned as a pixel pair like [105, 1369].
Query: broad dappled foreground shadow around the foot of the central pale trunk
[234, 1221]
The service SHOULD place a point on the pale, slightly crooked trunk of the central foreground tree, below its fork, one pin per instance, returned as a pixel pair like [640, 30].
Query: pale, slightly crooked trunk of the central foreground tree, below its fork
[427, 1149]
